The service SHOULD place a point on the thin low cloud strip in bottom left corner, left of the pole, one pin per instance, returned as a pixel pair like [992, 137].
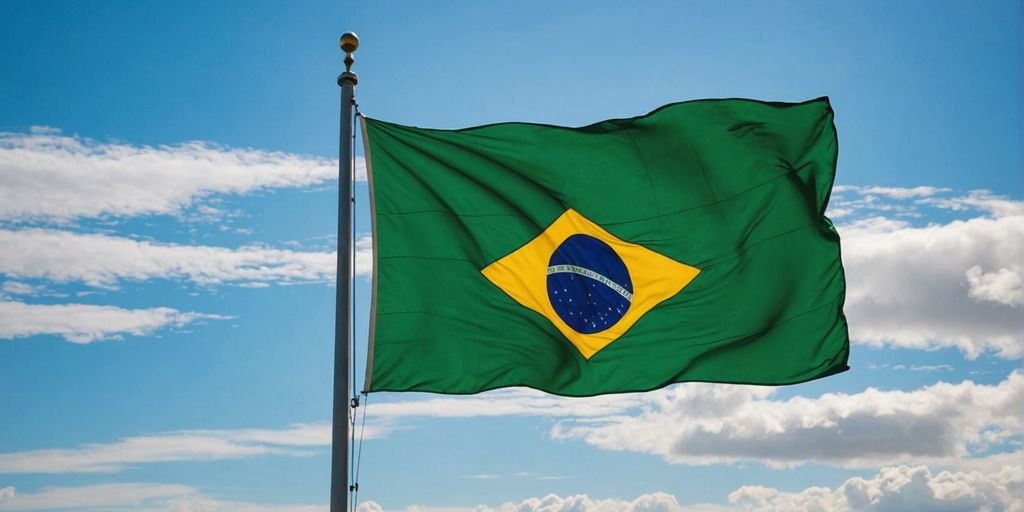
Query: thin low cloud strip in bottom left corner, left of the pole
[134, 497]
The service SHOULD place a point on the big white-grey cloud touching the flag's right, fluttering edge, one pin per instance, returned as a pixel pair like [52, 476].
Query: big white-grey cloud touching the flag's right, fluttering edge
[953, 285]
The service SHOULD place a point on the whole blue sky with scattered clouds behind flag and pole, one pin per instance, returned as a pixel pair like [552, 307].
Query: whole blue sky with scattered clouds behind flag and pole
[167, 228]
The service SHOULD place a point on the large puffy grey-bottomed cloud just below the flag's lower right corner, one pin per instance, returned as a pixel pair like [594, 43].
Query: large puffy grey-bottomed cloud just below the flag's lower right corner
[701, 424]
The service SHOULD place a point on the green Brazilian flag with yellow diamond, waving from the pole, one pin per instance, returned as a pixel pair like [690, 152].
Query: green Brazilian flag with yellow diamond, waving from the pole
[687, 245]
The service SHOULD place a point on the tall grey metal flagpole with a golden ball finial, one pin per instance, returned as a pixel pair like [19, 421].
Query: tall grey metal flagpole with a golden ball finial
[339, 434]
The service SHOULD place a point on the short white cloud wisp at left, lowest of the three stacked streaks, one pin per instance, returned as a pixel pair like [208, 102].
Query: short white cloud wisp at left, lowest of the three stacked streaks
[87, 324]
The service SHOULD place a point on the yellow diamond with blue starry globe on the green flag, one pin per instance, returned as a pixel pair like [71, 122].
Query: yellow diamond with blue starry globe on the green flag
[649, 280]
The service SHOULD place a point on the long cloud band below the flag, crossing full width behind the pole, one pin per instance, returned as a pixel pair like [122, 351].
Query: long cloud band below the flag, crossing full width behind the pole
[964, 426]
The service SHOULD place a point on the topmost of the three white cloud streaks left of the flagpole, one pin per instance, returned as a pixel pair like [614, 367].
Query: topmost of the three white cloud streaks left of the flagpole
[47, 176]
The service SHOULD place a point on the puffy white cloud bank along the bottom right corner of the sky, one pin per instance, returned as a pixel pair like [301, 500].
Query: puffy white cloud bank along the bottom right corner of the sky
[899, 489]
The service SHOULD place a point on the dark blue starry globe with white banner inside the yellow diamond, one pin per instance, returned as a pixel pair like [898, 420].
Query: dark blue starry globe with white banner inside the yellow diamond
[588, 284]
